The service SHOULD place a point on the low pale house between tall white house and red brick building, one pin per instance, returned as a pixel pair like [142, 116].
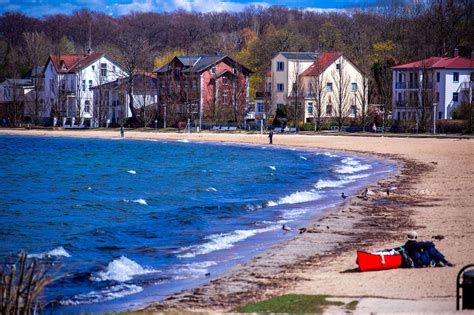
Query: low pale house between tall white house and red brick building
[115, 98]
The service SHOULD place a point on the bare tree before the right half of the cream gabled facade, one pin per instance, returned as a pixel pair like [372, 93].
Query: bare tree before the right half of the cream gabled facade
[341, 93]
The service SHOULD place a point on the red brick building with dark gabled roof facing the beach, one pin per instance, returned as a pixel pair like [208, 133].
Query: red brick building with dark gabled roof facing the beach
[205, 89]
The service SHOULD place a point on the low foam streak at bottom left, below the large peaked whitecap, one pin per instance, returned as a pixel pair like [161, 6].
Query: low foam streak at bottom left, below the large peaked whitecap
[110, 293]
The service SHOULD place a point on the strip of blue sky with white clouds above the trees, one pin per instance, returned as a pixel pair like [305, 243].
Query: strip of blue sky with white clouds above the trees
[38, 8]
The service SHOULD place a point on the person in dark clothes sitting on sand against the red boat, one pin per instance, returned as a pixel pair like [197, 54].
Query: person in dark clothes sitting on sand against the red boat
[424, 254]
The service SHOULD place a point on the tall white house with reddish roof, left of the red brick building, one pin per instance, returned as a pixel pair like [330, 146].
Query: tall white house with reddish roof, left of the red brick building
[68, 80]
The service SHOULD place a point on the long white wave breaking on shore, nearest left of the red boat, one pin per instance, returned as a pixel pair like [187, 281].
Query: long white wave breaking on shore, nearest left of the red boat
[221, 241]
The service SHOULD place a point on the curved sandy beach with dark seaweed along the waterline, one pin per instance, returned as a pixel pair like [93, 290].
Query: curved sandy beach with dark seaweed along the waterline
[433, 196]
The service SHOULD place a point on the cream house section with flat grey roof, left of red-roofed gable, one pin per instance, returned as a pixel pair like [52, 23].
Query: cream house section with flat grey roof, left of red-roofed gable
[285, 70]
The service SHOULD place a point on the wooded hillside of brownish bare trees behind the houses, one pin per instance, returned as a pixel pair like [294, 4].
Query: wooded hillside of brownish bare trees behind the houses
[375, 38]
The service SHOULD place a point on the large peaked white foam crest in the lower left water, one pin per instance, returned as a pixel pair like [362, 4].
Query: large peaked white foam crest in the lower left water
[122, 269]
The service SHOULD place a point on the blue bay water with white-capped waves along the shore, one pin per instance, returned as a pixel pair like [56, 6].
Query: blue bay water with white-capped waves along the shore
[127, 222]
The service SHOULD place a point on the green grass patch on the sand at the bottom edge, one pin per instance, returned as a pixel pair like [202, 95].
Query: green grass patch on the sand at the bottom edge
[290, 303]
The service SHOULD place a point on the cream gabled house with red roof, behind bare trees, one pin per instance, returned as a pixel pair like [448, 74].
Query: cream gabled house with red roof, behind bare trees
[333, 78]
